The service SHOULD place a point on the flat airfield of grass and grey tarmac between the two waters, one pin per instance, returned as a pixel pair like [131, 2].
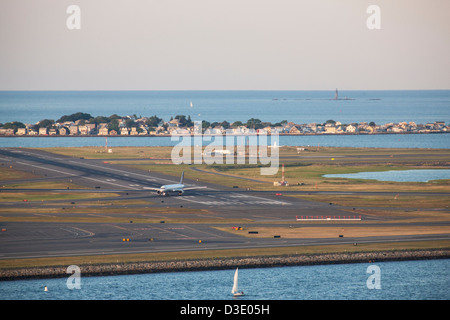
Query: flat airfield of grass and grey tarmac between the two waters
[91, 207]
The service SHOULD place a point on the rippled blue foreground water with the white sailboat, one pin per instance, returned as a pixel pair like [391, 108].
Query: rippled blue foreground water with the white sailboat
[403, 280]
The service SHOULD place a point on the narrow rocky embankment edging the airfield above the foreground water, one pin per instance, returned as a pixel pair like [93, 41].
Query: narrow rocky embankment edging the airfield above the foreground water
[224, 263]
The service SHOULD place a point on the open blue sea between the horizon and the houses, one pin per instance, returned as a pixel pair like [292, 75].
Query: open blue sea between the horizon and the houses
[274, 106]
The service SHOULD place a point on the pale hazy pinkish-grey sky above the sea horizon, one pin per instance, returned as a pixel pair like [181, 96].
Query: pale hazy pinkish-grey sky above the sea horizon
[224, 45]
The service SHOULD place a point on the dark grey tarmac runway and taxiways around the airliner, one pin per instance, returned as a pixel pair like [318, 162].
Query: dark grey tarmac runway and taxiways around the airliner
[195, 229]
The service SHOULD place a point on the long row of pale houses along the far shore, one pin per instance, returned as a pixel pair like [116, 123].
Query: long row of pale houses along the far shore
[172, 128]
